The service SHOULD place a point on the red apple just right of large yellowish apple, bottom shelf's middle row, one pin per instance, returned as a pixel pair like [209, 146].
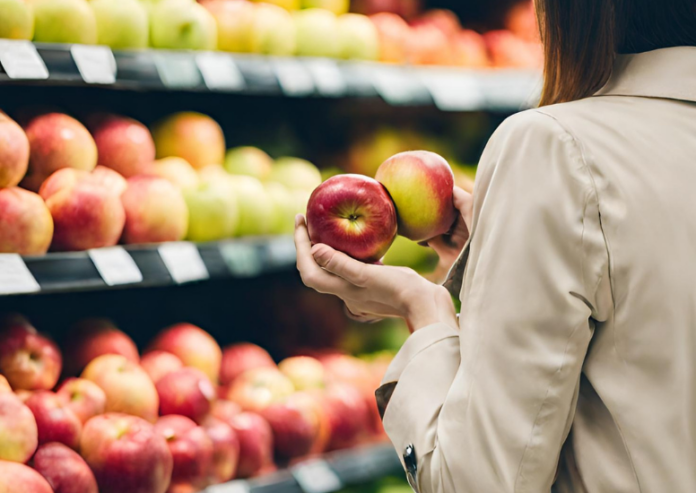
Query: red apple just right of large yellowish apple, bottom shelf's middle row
[187, 392]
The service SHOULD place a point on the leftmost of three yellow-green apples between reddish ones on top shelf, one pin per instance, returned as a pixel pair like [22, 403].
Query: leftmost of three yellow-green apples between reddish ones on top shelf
[273, 31]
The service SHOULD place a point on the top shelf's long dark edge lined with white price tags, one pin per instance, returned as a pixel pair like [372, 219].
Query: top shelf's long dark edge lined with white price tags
[450, 89]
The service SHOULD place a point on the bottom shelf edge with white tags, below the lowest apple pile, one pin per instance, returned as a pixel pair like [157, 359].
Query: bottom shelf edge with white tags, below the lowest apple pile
[330, 474]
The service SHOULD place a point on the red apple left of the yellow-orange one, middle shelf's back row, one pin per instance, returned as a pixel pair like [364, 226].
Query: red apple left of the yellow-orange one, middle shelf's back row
[123, 144]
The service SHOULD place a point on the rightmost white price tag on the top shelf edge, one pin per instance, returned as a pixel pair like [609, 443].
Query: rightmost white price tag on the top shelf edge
[453, 90]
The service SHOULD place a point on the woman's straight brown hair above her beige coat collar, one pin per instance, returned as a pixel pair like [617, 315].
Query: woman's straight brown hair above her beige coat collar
[582, 37]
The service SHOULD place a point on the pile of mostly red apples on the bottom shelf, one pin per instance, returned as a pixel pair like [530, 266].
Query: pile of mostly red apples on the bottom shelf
[184, 415]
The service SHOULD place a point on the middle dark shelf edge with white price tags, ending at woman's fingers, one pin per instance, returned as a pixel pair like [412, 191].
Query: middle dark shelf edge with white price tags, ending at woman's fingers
[145, 266]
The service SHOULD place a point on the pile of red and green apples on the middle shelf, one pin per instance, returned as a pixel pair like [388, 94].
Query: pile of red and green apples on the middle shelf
[83, 187]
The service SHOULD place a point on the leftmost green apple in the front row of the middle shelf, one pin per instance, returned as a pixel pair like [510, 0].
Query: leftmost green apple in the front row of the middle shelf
[213, 212]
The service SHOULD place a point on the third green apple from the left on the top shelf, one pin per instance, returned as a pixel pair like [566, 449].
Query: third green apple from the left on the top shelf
[121, 24]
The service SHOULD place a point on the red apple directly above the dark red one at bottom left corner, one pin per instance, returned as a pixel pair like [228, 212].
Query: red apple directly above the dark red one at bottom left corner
[54, 419]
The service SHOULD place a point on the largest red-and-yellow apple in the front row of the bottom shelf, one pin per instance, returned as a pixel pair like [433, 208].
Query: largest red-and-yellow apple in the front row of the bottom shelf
[126, 454]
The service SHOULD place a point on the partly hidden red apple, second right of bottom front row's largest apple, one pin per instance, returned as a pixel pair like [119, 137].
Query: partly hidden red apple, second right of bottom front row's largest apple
[225, 449]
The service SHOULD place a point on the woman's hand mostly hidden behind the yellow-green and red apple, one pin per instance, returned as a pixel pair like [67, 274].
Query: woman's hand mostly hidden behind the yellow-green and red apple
[449, 246]
